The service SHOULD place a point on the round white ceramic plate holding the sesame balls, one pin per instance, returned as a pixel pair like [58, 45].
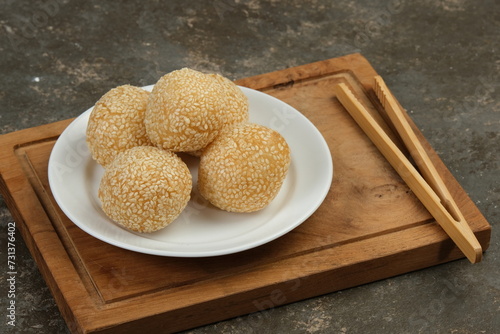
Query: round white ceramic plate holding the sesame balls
[201, 230]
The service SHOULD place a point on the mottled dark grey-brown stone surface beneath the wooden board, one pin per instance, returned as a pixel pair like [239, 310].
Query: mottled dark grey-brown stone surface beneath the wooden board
[439, 57]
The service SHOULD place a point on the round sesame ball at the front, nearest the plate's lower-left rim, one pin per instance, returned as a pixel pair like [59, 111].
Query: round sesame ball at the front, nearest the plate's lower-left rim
[145, 188]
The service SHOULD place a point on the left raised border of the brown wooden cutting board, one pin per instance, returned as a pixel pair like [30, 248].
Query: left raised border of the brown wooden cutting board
[41, 239]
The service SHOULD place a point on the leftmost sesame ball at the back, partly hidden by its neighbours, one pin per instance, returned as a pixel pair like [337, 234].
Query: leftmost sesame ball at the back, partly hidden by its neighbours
[116, 123]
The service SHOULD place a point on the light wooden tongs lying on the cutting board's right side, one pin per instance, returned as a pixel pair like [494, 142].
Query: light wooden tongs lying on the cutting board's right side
[428, 186]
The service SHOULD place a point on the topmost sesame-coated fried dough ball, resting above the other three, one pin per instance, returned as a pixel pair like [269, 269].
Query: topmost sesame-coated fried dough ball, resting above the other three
[187, 109]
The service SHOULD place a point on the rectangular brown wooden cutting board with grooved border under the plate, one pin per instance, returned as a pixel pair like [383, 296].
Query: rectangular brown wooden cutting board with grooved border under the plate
[369, 227]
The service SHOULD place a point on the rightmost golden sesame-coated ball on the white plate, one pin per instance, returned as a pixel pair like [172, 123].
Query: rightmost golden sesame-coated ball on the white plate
[244, 169]
